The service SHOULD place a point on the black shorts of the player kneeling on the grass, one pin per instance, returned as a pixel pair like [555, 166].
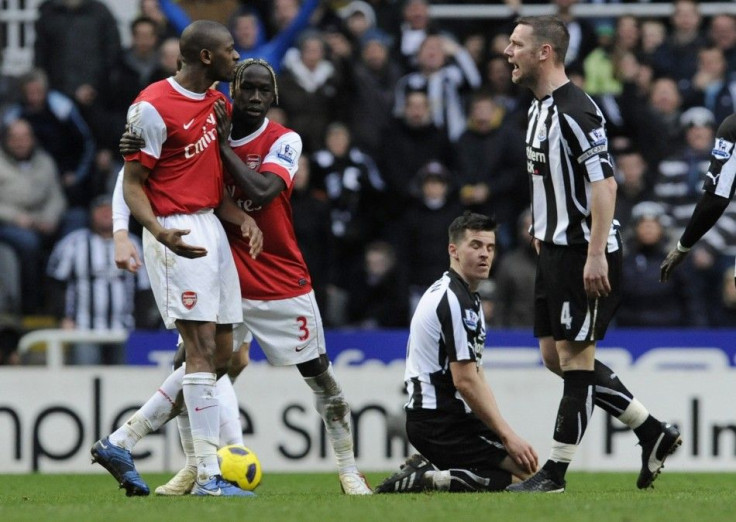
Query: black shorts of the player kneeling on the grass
[455, 440]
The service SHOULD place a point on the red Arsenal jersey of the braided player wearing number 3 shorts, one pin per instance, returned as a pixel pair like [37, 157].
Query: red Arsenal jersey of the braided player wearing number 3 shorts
[279, 272]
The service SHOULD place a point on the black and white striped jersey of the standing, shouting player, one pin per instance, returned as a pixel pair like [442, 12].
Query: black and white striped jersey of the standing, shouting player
[566, 151]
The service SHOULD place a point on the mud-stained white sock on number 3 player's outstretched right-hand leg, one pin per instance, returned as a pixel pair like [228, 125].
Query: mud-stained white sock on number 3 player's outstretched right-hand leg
[335, 412]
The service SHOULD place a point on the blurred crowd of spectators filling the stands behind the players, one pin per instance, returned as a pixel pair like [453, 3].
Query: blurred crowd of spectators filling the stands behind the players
[406, 121]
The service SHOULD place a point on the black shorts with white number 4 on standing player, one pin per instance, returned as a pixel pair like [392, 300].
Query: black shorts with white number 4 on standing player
[562, 309]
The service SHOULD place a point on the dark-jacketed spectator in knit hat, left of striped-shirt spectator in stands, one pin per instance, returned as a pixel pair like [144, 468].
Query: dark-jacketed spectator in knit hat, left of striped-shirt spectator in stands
[374, 79]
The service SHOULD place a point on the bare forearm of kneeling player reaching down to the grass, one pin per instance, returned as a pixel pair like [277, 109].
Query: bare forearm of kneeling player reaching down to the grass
[471, 383]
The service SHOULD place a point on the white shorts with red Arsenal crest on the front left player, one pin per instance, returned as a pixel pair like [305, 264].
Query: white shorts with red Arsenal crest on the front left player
[202, 289]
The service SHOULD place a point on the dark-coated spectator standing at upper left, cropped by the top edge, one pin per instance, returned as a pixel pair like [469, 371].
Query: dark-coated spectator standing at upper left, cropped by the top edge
[77, 44]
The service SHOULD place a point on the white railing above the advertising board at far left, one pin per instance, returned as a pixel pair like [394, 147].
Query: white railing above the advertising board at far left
[55, 339]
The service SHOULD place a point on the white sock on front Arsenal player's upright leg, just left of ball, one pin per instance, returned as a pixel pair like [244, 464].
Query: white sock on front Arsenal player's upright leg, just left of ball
[204, 416]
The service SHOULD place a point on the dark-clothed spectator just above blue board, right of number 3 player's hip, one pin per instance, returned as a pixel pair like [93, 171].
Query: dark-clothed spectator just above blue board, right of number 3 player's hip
[377, 291]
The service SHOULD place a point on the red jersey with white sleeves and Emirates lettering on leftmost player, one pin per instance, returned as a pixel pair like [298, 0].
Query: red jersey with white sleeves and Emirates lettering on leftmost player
[180, 131]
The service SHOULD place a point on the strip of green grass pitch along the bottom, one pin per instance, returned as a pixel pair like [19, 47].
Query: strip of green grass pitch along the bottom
[598, 497]
